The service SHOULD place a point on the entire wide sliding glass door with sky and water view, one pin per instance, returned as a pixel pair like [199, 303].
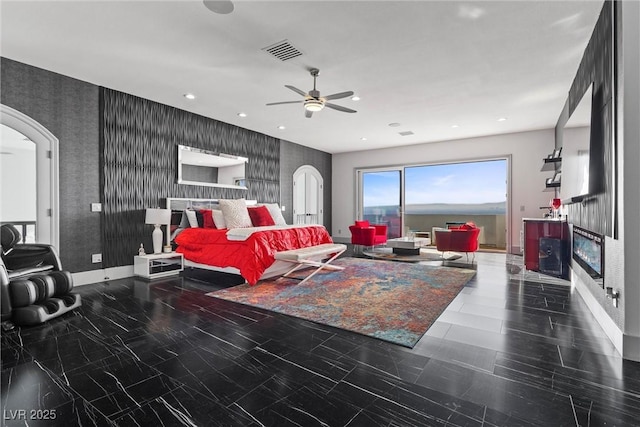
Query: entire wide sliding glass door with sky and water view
[422, 197]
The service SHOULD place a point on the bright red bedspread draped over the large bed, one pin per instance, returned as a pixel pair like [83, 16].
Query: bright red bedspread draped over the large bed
[252, 256]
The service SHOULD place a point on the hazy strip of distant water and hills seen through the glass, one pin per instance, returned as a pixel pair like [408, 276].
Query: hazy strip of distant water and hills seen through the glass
[497, 208]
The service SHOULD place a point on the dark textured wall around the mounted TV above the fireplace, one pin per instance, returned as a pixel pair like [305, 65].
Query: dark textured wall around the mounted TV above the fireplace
[596, 213]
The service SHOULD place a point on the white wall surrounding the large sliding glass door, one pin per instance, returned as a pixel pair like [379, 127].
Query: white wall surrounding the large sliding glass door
[526, 150]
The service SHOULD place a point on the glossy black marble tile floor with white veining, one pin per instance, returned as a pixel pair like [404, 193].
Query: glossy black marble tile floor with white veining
[513, 349]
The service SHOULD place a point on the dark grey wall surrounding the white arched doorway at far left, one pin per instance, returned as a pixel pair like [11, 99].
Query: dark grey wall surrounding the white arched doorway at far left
[69, 109]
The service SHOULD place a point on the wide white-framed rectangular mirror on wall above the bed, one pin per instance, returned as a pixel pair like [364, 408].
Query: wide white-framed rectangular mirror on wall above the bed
[201, 167]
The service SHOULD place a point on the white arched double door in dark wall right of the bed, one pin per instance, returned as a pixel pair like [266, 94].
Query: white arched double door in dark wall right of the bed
[307, 196]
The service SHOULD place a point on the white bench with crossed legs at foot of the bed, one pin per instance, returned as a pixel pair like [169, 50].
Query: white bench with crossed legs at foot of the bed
[305, 257]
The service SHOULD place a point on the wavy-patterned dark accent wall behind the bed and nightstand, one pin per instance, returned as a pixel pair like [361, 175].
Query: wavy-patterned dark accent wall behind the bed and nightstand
[139, 146]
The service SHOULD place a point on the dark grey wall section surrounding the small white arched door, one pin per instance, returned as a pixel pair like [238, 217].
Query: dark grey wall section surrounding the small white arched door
[292, 157]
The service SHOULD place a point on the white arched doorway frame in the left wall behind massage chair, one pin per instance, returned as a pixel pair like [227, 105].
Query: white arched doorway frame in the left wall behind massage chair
[46, 158]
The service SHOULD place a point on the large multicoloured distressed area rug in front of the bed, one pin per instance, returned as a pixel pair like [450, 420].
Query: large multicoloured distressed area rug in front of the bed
[395, 302]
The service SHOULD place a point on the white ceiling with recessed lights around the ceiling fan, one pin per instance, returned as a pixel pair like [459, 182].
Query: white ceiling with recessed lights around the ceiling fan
[423, 64]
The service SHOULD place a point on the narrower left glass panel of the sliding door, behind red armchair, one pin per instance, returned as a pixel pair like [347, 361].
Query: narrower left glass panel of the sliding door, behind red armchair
[381, 199]
